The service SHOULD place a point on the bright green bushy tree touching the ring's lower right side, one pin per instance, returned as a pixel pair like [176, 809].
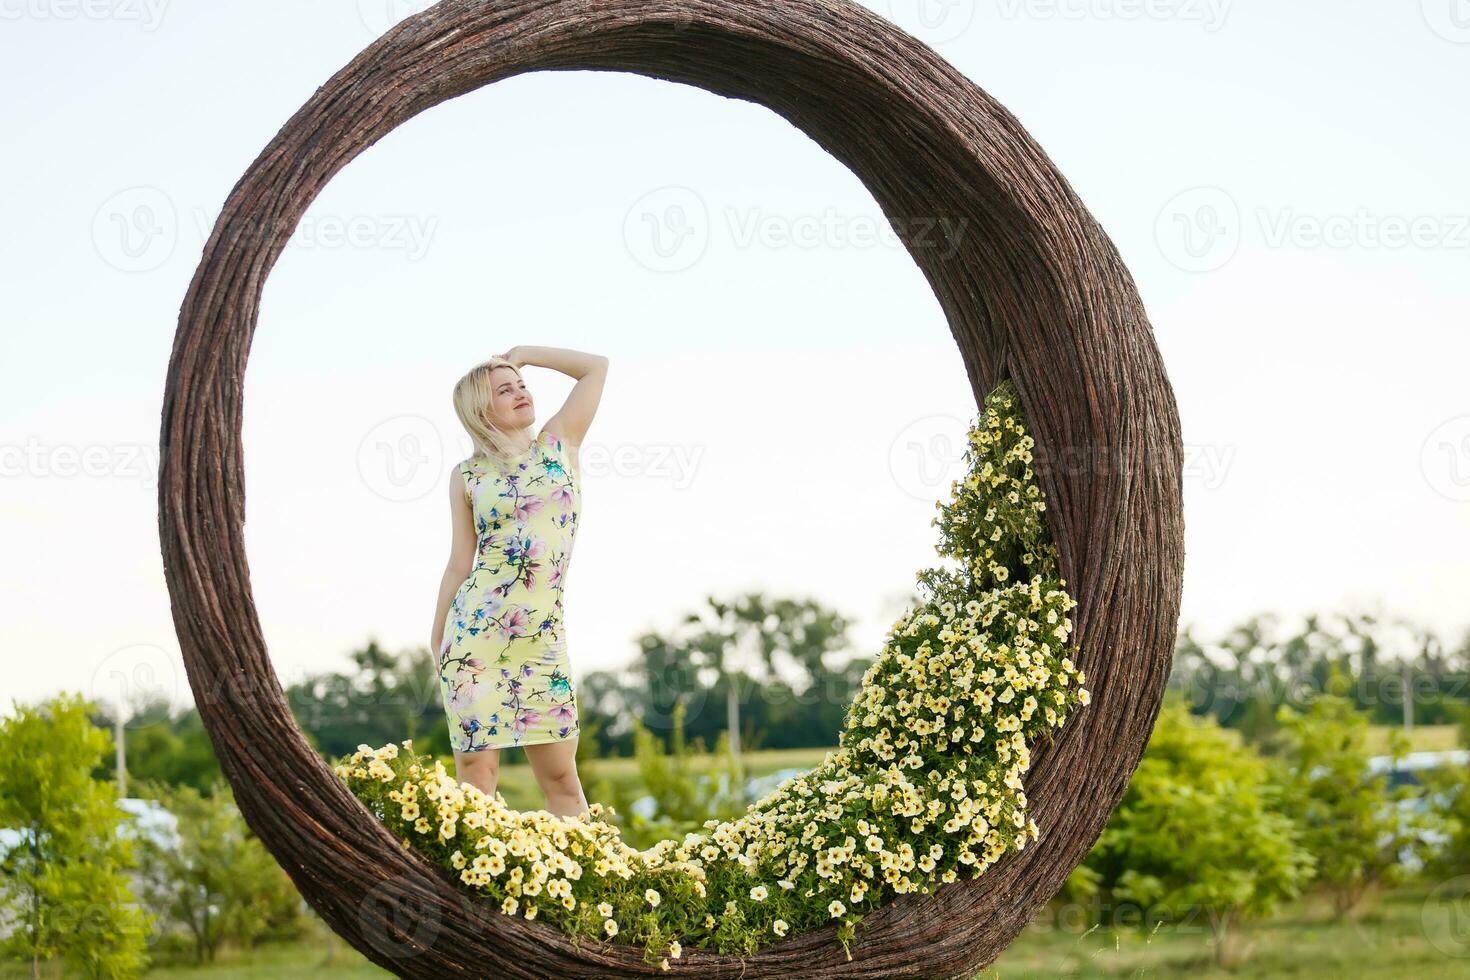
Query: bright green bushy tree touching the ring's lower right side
[1196, 834]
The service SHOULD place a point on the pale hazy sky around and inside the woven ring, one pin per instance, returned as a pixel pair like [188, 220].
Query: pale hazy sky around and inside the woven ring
[1286, 183]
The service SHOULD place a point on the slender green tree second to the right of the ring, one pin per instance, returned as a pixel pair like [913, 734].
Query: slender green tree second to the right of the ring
[1344, 812]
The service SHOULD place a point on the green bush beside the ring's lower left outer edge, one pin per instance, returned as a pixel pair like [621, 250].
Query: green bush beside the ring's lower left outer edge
[214, 881]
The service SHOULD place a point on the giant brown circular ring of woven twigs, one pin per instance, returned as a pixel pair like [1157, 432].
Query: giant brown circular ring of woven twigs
[1033, 290]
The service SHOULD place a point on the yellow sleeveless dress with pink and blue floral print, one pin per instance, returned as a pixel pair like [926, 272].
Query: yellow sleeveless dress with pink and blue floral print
[505, 672]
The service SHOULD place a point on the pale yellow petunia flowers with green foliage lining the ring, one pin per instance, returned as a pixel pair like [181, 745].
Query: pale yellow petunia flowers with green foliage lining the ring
[925, 784]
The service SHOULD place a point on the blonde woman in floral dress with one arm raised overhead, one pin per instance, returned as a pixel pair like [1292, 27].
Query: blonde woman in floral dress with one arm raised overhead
[502, 644]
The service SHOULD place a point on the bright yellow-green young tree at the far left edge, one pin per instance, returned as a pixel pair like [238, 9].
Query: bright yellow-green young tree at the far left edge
[65, 882]
